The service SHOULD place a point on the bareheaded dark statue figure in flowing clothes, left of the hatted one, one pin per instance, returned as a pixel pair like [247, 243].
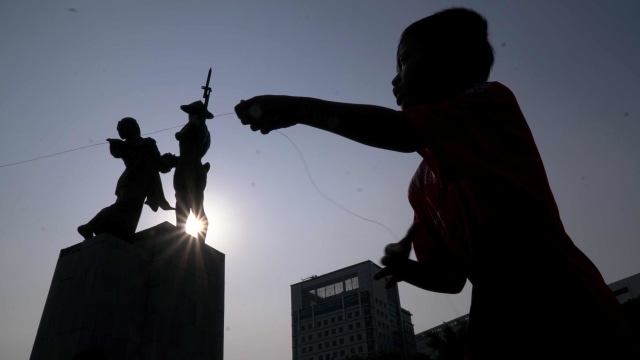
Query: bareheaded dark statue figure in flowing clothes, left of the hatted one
[139, 181]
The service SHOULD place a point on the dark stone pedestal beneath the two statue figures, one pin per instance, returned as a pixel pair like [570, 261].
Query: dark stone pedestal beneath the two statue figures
[160, 297]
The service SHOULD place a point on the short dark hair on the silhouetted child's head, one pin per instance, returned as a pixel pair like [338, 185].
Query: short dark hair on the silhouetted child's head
[459, 35]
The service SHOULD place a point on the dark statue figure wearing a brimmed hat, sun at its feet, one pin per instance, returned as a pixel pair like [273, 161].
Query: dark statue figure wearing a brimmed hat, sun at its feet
[190, 176]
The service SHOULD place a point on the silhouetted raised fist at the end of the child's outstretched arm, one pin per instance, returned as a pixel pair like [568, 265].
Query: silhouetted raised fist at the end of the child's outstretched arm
[269, 112]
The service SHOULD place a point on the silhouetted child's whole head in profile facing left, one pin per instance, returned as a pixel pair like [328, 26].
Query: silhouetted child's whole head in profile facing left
[441, 55]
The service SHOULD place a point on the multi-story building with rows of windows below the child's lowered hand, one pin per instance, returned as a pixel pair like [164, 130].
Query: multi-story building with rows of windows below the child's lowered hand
[346, 312]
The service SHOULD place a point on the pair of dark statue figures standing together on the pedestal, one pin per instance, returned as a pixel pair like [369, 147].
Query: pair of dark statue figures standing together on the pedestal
[140, 182]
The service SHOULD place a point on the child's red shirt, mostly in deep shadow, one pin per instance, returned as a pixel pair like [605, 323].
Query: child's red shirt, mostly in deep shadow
[482, 193]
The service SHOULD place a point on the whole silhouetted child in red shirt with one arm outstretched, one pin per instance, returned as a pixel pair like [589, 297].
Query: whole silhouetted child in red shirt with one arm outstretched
[483, 207]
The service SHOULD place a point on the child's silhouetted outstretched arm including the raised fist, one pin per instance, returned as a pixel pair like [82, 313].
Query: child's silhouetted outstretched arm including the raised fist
[368, 124]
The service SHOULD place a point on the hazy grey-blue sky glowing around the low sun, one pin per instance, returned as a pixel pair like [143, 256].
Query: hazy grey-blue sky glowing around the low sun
[69, 70]
